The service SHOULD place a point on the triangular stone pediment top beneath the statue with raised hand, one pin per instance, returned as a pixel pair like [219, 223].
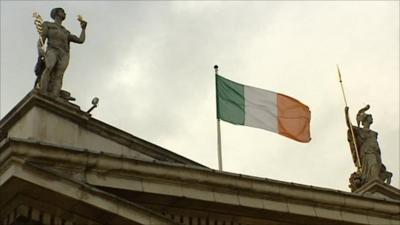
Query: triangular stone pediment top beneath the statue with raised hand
[42, 119]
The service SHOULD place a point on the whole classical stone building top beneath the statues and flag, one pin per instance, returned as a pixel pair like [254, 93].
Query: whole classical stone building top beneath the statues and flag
[60, 166]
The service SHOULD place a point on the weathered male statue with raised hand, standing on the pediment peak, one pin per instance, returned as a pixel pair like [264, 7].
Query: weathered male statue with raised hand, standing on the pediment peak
[53, 63]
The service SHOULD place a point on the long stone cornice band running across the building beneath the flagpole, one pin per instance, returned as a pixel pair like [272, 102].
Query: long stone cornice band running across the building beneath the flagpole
[210, 182]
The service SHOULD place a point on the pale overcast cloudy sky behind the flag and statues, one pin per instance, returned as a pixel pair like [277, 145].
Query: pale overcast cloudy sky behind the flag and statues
[151, 65]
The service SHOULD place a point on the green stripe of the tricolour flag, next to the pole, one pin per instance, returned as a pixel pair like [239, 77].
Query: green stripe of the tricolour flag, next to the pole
[230, 101]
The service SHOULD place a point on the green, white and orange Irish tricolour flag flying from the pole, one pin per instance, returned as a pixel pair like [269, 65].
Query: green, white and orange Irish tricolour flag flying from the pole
[255, 107]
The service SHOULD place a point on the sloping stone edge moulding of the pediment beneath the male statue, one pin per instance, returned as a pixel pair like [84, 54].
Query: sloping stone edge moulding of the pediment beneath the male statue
[72, 112]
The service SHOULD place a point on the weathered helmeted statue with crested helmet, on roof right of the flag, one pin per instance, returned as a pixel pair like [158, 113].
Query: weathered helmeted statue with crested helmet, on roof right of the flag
[366, 143]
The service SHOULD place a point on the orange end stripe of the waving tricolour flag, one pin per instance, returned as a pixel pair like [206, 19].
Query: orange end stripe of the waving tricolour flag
[293, 118]
